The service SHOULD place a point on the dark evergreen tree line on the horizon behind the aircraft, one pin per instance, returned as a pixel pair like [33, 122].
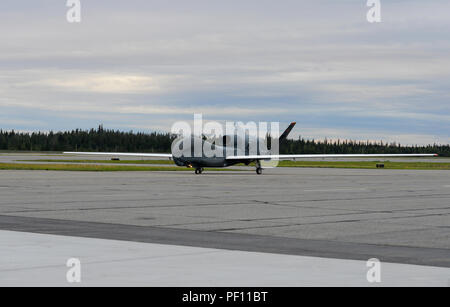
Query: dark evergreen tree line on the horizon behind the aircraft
[101, 139]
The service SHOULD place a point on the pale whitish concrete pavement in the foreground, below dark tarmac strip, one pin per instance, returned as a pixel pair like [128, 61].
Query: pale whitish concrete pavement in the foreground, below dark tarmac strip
[28, 259]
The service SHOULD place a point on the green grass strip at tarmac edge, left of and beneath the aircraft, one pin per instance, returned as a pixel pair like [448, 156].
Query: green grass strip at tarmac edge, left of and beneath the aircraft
[94, 168]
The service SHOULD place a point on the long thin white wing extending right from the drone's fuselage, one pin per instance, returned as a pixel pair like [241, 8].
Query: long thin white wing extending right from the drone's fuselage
[301, 156]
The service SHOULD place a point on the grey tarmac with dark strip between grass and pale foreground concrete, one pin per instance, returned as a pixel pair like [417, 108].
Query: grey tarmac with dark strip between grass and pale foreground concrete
[400, 216]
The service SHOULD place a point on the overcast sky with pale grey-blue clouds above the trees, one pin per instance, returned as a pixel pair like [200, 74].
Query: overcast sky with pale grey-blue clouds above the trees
[143, 65]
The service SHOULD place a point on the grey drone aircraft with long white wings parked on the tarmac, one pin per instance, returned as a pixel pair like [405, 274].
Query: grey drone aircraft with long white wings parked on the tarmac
[232, 154]
